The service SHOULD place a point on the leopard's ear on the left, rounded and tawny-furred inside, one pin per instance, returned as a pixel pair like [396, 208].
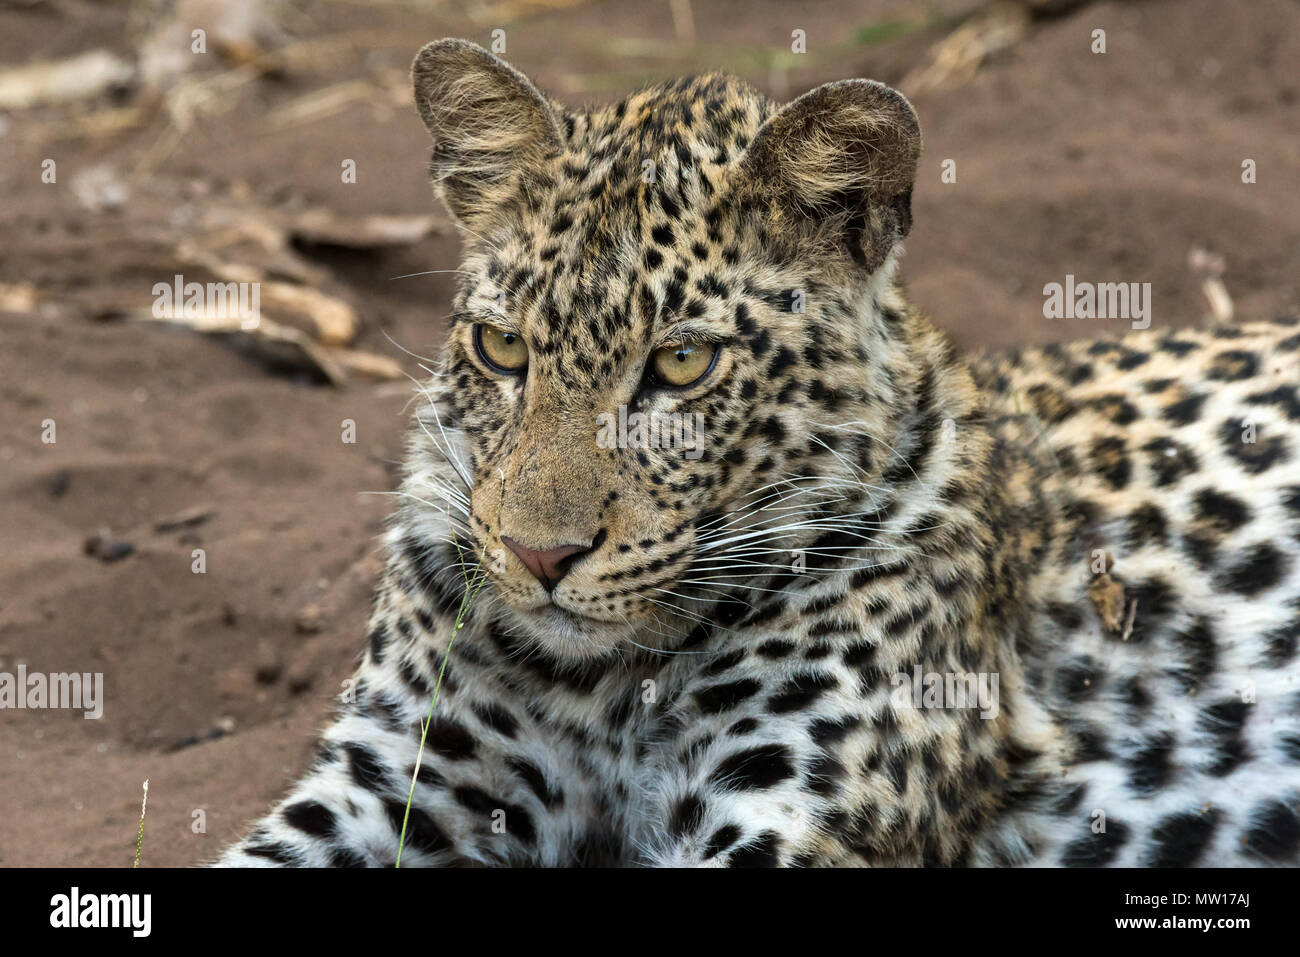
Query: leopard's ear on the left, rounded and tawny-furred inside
[488, 122]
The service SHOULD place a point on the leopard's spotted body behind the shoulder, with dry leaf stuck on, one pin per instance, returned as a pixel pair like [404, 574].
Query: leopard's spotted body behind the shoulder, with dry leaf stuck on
[1167, 642]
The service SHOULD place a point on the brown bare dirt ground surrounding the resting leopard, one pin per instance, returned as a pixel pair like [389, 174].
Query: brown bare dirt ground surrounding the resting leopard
[1112, 167]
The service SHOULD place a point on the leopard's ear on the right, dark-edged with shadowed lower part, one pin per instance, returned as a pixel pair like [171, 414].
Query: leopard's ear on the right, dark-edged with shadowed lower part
[840, 161]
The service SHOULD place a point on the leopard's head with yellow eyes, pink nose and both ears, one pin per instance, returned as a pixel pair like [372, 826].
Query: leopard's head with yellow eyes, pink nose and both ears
[670, 353]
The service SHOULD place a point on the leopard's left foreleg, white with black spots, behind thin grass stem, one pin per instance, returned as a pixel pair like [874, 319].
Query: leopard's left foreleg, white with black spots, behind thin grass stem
[491, 785]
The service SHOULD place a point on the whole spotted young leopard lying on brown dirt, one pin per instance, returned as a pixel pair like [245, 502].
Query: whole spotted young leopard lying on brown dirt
[882, 604]
